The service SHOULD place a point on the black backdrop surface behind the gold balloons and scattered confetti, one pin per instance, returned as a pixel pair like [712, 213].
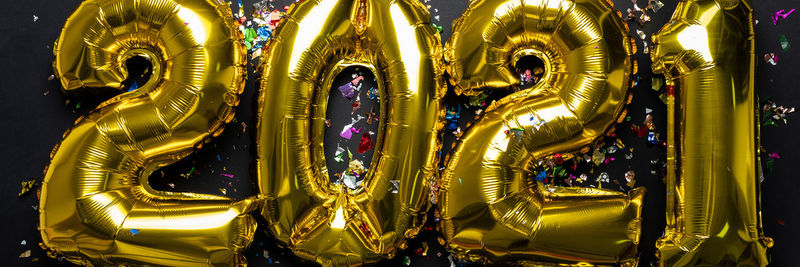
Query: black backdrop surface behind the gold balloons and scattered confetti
[33, 123]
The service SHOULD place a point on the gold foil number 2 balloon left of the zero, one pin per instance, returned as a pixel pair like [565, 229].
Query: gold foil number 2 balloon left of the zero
[97, 207]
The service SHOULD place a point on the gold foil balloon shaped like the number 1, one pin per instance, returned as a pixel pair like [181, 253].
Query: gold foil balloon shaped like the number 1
[706, 54]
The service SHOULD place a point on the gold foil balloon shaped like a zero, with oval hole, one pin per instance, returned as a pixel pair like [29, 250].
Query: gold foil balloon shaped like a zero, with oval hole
[319, 220]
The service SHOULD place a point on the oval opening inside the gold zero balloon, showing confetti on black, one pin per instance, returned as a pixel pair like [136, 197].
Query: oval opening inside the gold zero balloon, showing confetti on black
[351, 129]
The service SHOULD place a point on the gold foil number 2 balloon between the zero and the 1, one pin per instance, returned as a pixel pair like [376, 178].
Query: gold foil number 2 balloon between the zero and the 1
[491, 208]
